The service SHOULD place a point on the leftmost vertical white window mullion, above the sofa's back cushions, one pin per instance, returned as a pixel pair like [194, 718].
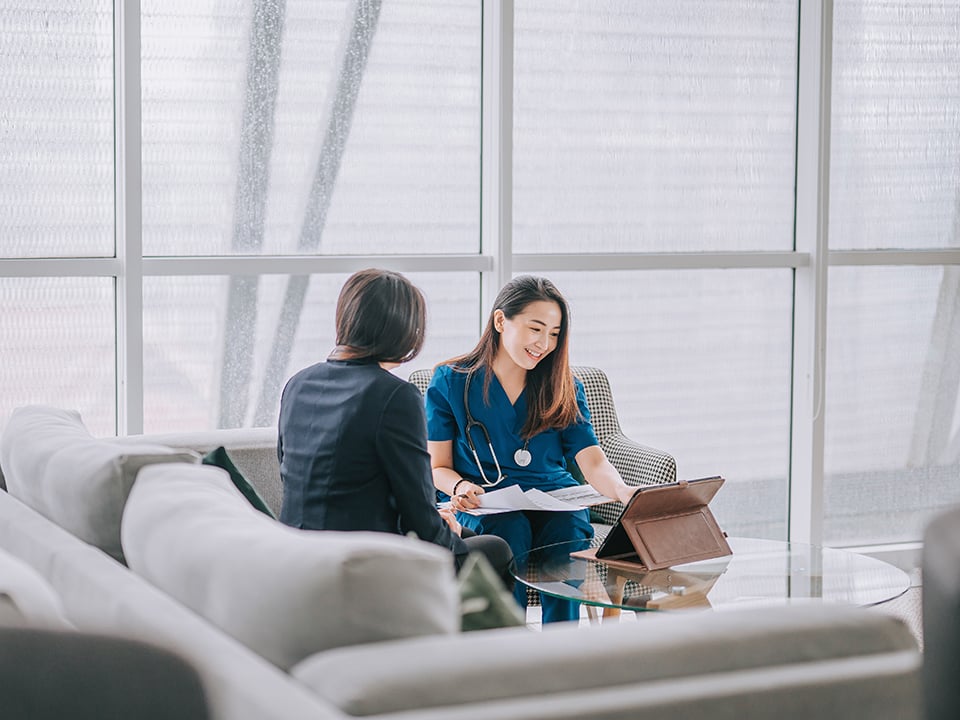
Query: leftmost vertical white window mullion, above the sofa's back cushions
[128, 219]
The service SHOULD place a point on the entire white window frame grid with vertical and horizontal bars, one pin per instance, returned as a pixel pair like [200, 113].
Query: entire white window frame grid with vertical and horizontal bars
[496, 262]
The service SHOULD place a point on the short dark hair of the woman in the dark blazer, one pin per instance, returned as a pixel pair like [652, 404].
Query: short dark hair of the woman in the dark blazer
[381, 316]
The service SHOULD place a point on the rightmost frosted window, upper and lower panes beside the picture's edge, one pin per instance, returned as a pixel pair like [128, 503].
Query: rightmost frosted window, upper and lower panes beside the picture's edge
[892, 449]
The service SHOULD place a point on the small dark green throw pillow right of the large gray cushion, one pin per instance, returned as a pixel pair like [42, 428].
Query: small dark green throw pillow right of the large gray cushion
[484, 601]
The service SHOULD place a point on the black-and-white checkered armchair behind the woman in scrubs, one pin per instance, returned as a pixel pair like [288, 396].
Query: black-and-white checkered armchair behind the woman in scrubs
[637, 464]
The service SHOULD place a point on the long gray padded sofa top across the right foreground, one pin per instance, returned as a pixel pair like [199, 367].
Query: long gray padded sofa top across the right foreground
[492, 665]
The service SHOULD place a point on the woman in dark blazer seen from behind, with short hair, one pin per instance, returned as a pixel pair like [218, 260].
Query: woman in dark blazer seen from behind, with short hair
[352, 436]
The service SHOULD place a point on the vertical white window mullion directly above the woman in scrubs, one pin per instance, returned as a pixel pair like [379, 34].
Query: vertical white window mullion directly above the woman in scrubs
[496, 153]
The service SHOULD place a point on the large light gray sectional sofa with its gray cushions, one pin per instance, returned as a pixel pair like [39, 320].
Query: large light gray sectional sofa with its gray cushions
[219, 583]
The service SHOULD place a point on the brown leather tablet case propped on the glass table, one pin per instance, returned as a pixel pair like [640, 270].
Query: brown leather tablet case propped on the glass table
[666, 525]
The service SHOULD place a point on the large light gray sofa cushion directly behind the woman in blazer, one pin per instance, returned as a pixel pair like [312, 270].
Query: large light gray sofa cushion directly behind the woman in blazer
[286, 593]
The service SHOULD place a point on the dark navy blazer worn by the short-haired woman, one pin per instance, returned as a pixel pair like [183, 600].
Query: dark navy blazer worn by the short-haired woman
[353, 454]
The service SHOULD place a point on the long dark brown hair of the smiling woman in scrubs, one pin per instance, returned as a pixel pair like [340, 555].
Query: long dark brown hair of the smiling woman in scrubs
[551, 394]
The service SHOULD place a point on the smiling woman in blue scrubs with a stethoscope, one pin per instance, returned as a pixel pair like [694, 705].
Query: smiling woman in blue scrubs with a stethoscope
[526, 415]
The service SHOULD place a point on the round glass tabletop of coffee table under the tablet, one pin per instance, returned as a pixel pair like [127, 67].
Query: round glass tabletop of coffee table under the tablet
[759, 572]
